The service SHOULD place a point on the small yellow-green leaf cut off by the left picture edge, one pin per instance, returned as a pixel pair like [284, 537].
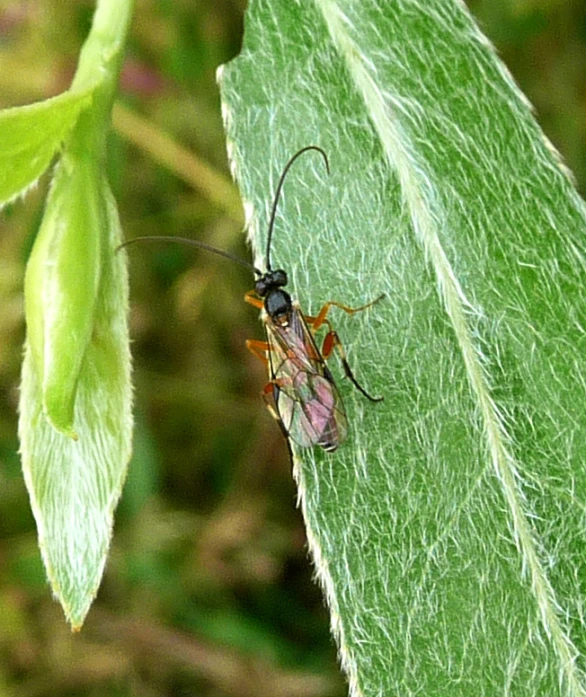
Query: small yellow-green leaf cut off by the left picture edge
[31, 136]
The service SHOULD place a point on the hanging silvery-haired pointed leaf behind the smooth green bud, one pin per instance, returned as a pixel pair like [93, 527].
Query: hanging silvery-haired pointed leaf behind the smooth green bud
[74, 484]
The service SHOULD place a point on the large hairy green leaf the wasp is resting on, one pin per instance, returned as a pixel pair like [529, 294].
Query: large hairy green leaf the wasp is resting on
[448, 532]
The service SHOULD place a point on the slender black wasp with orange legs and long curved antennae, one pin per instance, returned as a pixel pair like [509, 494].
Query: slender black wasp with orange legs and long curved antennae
[301, 393]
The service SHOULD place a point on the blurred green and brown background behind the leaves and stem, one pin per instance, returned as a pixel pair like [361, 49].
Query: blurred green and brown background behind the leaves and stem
[208, 588]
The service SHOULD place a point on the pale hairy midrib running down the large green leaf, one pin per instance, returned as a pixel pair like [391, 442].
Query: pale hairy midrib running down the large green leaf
[396, 146]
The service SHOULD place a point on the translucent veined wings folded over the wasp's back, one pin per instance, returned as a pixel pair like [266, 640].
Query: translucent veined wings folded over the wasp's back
[306, 397]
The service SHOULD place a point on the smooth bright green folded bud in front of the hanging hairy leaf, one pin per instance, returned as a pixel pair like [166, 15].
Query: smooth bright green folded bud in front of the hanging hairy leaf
[61, 285]
